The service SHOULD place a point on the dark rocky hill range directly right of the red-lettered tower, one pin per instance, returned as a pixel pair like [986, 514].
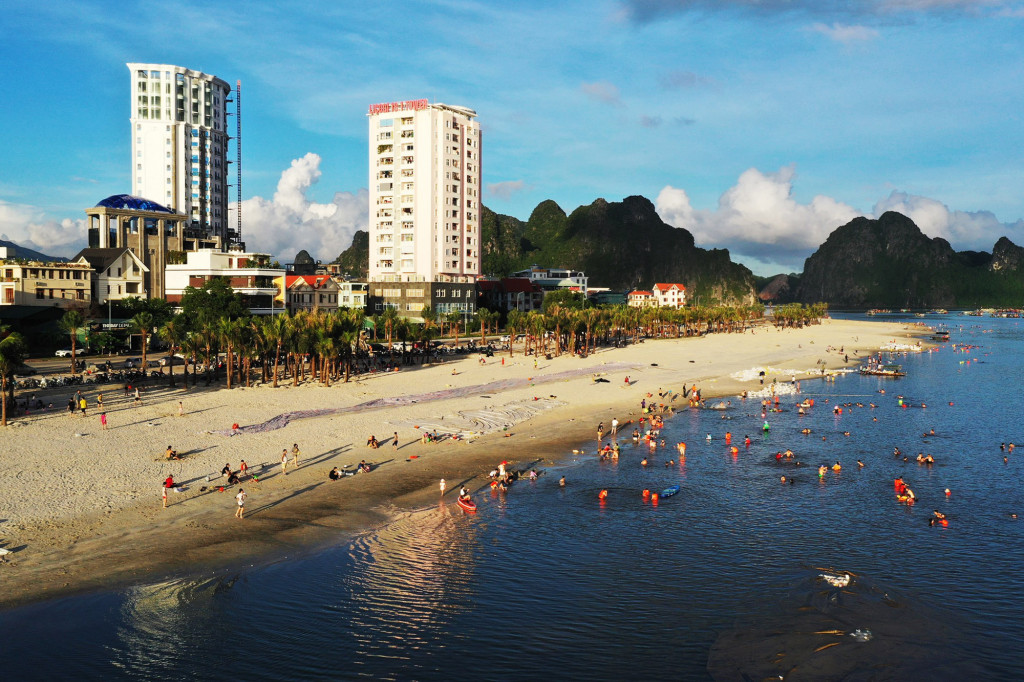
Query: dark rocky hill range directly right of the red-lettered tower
[621, 245]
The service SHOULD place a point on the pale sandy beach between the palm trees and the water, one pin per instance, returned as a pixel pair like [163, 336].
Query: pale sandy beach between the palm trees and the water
[82, 509]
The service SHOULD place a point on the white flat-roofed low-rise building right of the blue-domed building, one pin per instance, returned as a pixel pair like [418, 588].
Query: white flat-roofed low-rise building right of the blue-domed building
[248, 274]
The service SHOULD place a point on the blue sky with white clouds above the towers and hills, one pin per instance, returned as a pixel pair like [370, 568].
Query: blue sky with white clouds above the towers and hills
[759, 125]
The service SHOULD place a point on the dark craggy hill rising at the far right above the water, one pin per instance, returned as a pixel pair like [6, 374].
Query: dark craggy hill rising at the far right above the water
[889, 263]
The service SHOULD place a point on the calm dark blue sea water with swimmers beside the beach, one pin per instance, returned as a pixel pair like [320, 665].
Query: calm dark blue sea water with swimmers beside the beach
[720, 578]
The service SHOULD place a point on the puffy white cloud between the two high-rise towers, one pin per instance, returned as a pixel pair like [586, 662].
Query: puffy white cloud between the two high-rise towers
[292, 222]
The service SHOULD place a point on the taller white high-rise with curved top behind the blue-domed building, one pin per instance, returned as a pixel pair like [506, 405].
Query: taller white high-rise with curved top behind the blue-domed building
[180, 143]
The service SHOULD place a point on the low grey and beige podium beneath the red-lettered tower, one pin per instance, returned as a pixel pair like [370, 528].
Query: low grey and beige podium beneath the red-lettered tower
[410, 299]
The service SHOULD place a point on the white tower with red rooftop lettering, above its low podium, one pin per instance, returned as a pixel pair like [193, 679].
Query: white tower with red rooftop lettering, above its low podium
[424, 193]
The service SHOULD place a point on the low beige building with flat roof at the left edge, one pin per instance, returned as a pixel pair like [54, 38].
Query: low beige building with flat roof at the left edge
[46, 284]
